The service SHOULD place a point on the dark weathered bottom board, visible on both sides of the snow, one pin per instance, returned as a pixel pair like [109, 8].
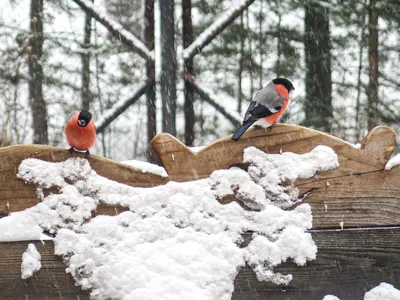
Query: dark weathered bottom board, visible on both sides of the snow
[349, 263]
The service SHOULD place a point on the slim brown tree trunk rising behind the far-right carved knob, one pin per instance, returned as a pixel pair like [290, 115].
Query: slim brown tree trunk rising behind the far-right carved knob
[373, 61]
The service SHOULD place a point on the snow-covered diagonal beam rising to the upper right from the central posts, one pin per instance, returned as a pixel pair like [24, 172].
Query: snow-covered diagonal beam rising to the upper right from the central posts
[214, 29]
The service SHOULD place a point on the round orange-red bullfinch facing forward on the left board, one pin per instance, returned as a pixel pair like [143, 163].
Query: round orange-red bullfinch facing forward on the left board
[80, 132]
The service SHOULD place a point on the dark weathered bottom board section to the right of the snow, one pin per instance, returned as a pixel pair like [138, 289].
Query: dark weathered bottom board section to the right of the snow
[348, 264]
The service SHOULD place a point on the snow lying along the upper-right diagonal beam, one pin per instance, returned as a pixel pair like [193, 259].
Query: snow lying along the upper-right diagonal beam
[210, 31]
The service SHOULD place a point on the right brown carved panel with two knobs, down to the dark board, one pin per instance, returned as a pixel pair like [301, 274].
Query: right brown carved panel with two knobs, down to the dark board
[359, 193]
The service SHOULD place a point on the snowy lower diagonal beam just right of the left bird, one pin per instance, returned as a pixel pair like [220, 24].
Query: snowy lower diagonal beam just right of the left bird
[121, 106]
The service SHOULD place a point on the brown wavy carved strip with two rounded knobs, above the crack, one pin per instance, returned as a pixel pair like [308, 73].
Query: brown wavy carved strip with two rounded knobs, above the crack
[184, 165]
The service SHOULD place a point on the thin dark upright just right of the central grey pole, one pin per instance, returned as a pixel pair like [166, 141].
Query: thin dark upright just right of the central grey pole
[189, 92]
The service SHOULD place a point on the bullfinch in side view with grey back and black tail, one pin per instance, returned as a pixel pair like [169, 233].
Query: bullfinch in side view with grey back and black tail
[268, 105]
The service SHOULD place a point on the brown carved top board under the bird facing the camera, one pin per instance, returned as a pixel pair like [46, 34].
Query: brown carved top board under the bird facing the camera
[15, 195]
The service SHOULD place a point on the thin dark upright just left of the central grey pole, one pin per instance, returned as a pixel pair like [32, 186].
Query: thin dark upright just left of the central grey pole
[150, 71]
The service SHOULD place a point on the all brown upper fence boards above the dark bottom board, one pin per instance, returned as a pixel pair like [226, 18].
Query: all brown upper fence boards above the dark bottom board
[357, 194]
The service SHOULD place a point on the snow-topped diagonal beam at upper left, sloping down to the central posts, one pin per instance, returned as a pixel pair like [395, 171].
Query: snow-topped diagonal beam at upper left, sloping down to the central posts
[117, 30]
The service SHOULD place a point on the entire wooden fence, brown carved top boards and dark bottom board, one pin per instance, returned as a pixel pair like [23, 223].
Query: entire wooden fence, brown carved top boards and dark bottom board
[356, 213]
